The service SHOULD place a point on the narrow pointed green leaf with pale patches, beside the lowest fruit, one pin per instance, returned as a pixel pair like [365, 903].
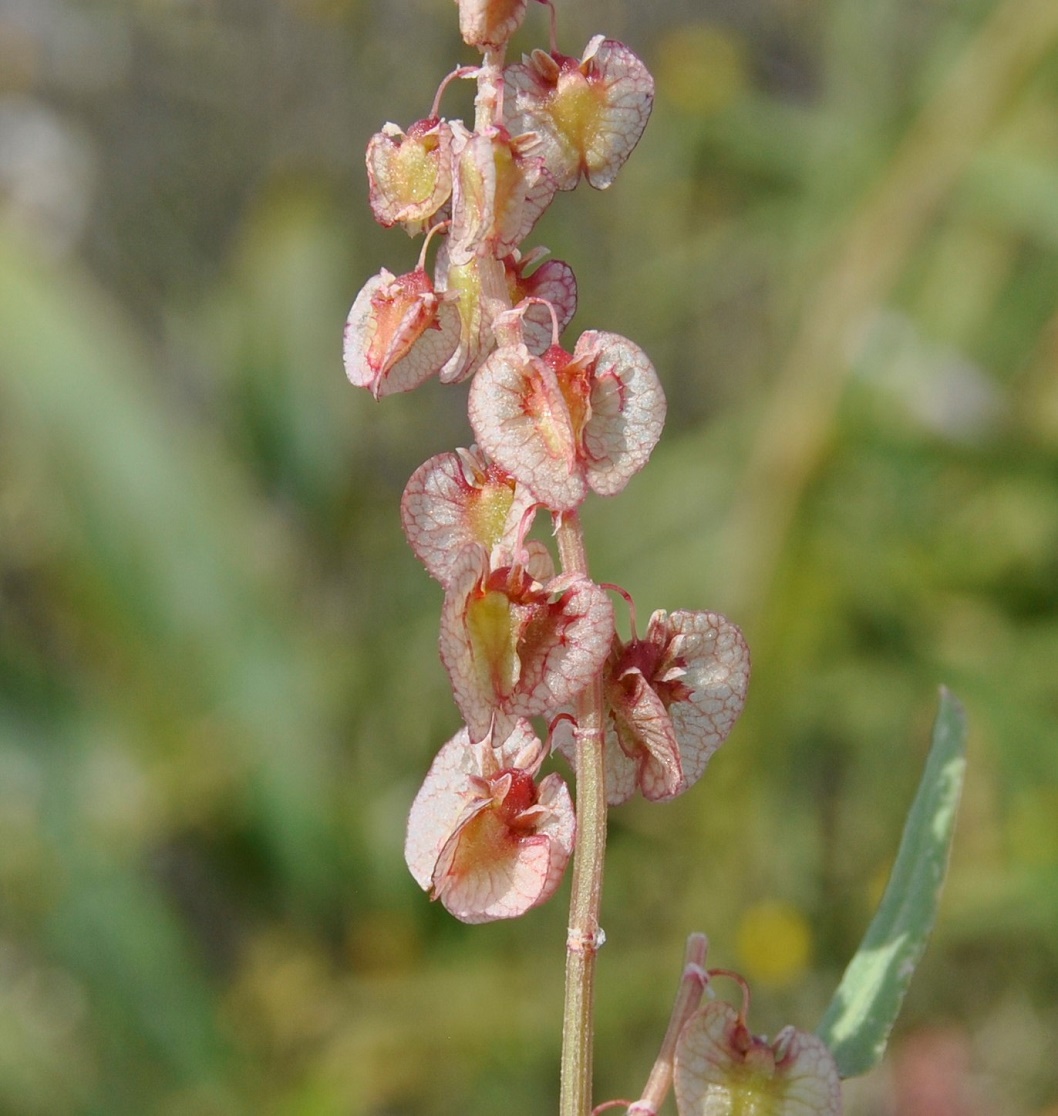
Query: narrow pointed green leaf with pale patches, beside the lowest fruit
[857, 1026]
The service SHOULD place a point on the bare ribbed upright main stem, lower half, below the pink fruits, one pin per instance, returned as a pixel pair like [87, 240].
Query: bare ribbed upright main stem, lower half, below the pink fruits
[584, 937]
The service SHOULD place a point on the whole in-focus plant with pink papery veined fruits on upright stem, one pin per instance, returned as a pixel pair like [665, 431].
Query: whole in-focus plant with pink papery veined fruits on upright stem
[522, 637]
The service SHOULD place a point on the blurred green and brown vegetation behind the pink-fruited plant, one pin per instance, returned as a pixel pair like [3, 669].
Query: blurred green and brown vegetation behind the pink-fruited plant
[219, 685]
